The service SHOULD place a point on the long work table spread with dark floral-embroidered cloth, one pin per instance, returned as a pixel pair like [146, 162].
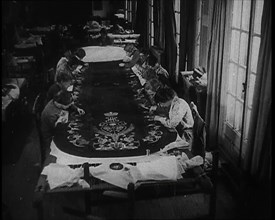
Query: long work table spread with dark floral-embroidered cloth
[116, 129]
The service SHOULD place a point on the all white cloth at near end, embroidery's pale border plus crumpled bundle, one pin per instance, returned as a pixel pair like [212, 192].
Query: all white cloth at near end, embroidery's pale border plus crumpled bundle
[157, 166]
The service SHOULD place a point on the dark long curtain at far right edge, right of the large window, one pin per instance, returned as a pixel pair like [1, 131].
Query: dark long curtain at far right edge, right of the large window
[257, 160]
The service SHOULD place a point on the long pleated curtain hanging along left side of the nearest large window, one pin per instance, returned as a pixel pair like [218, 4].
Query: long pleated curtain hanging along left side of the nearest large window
[215, 73]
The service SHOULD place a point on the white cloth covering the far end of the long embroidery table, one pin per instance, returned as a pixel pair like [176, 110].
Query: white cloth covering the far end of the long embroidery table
[103, 53]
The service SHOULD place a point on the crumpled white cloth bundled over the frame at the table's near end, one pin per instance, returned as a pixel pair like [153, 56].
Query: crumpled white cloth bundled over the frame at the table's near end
[163, 168]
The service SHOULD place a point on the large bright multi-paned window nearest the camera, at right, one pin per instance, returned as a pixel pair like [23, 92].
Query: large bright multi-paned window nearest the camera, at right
[244, 46]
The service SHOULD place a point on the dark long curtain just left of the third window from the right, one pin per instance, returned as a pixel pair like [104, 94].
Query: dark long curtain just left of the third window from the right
[170, 52]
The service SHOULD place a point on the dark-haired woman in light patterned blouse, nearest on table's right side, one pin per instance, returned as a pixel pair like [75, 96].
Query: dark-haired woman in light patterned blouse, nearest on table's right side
[174, 113]
